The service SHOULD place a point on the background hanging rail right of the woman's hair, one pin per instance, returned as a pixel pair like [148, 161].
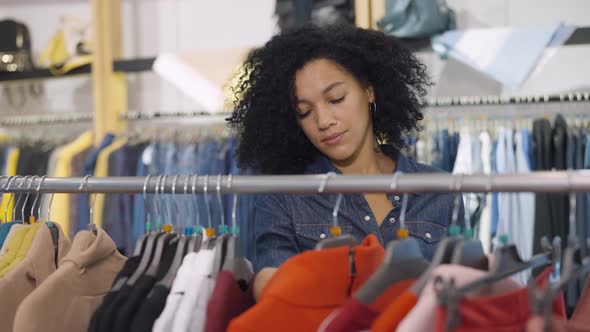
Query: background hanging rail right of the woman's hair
[582, 96]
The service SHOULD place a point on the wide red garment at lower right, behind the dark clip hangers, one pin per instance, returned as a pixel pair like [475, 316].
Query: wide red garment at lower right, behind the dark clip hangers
[502, 313]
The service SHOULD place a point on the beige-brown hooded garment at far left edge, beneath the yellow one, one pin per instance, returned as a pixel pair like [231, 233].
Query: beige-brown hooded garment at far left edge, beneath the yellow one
[36, 267]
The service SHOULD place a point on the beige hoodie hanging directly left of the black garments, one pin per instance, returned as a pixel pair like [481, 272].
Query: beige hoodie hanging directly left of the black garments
[69, 297]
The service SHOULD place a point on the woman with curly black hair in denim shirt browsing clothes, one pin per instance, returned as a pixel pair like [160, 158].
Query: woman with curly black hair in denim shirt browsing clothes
[337, 99]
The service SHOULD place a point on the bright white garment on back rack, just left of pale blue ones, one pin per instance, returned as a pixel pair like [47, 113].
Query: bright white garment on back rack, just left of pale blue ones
[485, 221]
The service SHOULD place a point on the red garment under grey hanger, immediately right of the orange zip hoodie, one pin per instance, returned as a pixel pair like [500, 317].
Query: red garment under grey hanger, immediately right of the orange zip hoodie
[354, 315]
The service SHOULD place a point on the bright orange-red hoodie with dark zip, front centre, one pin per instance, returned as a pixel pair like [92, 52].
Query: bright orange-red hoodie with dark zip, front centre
[308, 287]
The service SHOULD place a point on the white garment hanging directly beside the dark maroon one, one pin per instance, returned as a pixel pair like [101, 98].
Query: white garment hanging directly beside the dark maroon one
[201, 270]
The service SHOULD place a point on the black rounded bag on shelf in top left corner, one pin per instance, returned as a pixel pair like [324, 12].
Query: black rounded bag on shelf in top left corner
[15, 47]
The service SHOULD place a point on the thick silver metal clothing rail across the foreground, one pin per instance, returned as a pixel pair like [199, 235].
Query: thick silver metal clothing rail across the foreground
[562, 181]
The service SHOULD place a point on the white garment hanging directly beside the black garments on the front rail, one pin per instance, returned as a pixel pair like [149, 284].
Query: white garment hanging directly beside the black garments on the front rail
[182, 282]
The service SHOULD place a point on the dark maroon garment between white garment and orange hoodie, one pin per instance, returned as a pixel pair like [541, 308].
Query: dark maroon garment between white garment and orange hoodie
[227, 301]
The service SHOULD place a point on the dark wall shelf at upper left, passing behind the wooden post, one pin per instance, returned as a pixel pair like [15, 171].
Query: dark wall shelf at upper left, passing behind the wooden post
[122, 66]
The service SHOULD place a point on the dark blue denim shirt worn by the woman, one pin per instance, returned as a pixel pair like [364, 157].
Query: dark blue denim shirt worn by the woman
[288, 224]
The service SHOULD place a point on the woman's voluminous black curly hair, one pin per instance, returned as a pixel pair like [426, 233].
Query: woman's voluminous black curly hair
[270, 138]
